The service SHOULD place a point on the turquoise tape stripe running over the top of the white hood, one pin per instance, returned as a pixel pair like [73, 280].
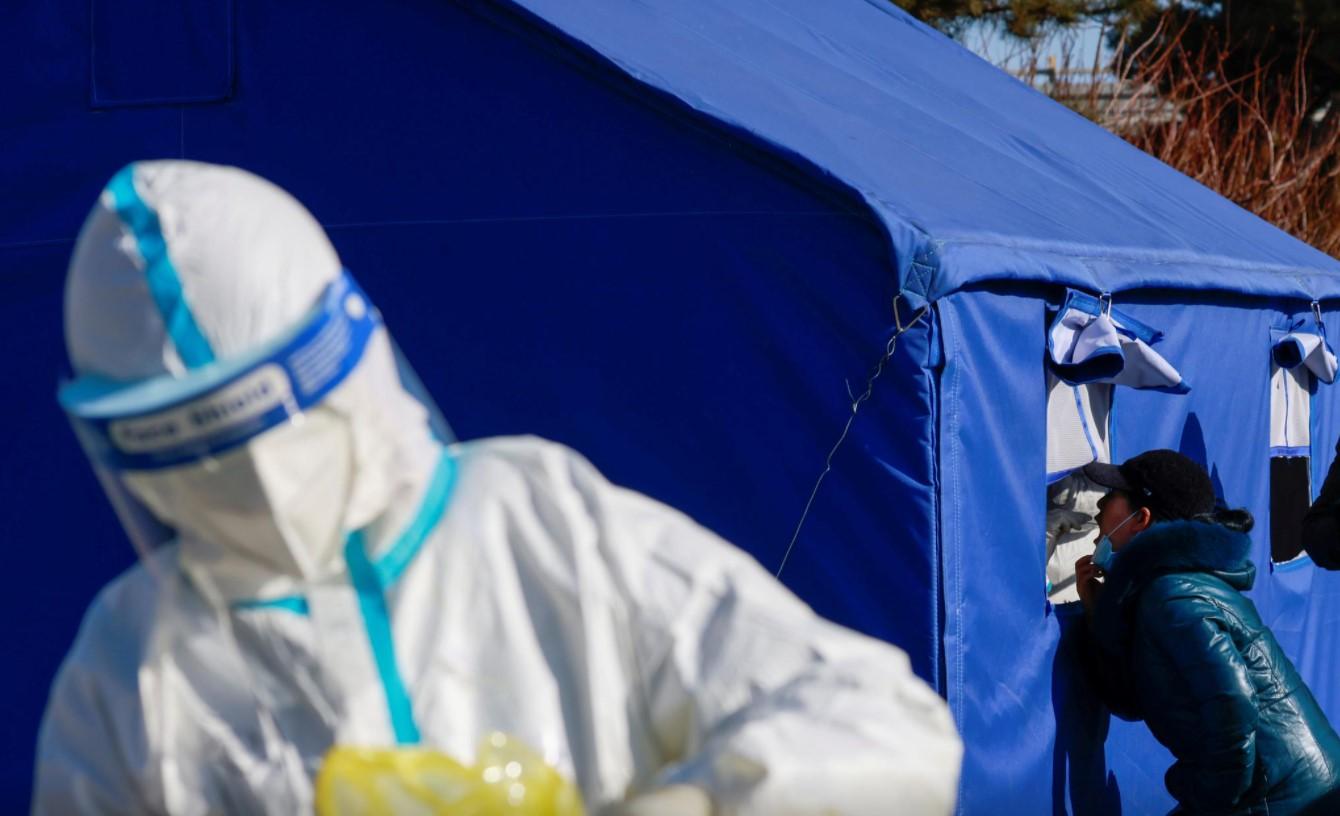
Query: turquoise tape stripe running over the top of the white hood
[160, 273]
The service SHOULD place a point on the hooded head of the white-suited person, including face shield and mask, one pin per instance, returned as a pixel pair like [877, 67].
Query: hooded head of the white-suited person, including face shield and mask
[234, 387]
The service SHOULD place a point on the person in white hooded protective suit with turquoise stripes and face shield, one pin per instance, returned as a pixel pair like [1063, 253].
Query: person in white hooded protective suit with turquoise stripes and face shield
[321, 567]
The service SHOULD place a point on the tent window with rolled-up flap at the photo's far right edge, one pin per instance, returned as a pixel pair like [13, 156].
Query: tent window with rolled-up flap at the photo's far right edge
[1300, 358]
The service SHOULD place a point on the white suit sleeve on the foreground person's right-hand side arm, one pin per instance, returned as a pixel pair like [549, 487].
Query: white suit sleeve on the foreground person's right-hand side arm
[755, 699]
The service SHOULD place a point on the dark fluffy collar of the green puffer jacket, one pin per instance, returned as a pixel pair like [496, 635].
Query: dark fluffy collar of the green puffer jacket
[1166, 549]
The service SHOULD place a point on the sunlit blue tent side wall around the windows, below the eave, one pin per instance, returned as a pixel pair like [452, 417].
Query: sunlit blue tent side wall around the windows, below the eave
[1038, 739]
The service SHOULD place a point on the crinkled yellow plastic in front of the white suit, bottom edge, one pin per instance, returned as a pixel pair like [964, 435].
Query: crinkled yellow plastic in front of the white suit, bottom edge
[509, 779]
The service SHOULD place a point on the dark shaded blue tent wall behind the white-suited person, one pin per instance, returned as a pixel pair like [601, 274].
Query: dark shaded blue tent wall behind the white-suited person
[557, 255]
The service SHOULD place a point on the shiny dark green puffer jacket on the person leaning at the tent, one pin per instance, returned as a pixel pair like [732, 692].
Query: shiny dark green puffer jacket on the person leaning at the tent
[1176, 644]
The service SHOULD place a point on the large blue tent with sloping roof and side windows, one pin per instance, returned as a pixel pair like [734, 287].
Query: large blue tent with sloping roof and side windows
[671, 234]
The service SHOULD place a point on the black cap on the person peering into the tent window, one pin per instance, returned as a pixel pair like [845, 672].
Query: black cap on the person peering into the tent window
[1168, 483]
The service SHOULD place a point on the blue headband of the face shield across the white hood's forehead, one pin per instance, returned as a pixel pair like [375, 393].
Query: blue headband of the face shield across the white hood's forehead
[172, 421]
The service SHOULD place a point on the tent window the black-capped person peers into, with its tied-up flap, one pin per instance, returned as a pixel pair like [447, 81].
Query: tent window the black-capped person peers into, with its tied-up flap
[1091, 350]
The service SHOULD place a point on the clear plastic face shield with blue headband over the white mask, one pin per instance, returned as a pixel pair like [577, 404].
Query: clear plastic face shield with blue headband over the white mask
[250, 452]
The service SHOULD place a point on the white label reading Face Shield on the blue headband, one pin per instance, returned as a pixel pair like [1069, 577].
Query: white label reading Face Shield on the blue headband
[247, 399]
